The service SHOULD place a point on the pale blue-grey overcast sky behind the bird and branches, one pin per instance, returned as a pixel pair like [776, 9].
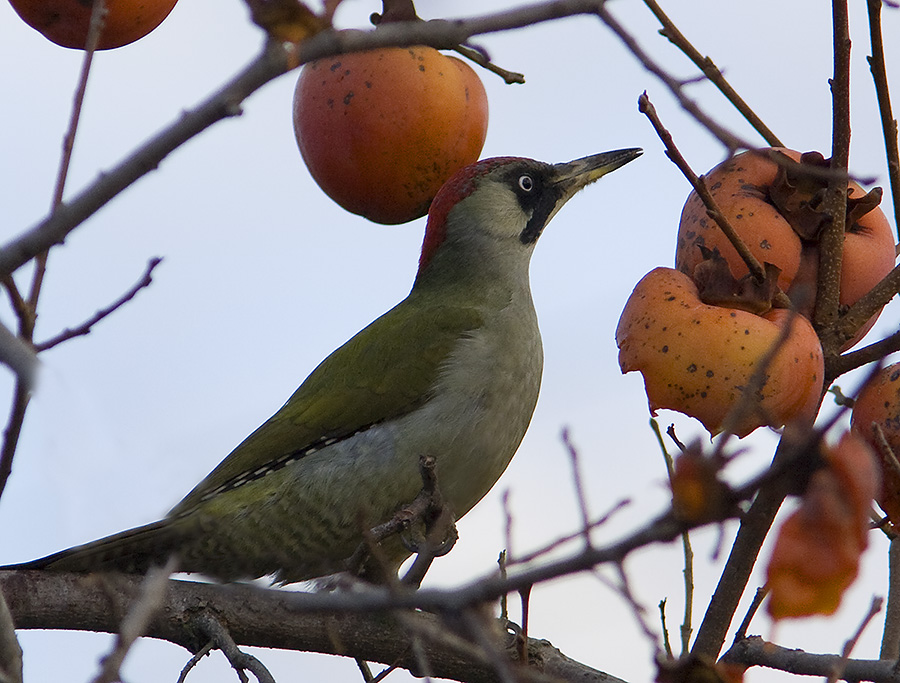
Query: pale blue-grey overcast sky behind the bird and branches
[263, 276]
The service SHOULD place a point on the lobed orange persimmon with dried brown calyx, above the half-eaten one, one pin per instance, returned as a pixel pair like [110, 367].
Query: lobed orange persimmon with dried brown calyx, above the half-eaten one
[776, 214]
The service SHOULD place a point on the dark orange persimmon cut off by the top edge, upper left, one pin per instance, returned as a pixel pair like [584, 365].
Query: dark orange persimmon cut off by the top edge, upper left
[66, 22]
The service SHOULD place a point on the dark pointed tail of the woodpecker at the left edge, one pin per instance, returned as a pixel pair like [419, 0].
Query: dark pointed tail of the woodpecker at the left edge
[133, 551]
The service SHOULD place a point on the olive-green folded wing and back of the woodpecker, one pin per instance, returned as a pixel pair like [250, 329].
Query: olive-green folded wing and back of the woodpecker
[384, 371]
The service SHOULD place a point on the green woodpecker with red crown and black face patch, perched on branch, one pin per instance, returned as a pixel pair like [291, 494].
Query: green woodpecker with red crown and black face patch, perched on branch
[452, 372]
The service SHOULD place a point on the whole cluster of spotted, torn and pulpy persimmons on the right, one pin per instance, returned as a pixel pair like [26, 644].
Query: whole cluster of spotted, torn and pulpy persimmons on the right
[738, 352]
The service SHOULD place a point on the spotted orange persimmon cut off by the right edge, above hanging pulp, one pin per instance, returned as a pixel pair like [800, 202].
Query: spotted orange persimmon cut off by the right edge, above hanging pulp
[878, 404]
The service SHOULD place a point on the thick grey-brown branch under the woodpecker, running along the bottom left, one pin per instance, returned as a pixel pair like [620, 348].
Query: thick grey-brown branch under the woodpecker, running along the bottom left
[269, 618]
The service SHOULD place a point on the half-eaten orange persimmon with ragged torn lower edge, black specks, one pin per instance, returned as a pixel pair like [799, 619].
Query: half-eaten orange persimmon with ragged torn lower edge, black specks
[698, 359]
